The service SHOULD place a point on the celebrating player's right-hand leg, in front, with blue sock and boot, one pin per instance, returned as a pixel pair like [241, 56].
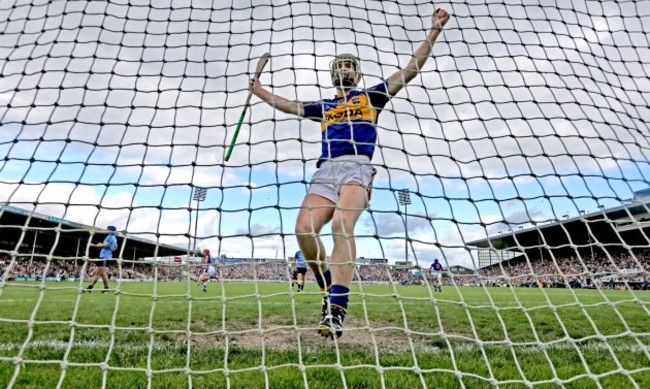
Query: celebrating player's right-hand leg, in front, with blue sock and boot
[352, 202]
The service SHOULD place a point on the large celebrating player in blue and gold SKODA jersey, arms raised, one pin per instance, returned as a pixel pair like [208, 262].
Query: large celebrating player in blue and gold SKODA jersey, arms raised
[340, 189]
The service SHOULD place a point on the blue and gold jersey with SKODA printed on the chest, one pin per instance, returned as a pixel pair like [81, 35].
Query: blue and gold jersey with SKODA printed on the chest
[348, 124]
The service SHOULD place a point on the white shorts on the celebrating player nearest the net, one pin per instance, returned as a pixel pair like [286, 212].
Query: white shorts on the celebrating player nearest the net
[333, 174]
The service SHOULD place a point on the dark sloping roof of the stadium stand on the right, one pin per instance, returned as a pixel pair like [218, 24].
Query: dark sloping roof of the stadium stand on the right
[628, 224]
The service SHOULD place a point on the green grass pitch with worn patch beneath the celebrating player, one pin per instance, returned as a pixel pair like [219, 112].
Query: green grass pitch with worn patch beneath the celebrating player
[243, 335]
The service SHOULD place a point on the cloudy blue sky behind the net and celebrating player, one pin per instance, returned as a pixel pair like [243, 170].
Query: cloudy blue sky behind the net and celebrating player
[526, 112]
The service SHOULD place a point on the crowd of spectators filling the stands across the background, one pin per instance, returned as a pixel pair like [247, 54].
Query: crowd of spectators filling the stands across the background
[622, 270]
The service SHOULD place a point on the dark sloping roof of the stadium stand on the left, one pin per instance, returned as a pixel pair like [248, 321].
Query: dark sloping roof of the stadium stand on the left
[42, 234]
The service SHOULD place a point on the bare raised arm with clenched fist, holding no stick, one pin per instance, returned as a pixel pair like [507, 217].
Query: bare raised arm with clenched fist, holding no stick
[399, 79]
